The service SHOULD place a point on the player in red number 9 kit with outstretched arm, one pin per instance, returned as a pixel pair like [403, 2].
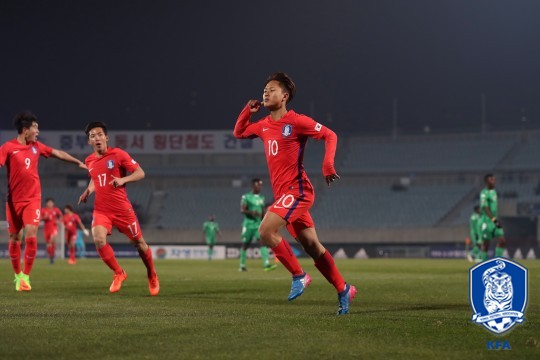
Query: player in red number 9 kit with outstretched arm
[23, 204]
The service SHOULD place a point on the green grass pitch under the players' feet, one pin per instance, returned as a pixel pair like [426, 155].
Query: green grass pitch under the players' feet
[405, 309]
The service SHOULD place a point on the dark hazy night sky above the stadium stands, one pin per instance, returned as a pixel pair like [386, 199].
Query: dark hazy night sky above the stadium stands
[193, 64]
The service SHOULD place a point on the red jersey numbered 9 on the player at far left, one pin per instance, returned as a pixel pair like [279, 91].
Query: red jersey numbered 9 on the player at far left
[21, 162]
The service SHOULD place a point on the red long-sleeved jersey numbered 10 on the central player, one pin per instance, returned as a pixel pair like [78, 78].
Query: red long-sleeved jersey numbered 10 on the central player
[284, 143]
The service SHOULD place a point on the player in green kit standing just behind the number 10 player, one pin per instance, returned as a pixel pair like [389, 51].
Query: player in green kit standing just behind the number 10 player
[252, 206]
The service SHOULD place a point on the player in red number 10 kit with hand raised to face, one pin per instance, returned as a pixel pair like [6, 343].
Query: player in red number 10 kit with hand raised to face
[284, 134]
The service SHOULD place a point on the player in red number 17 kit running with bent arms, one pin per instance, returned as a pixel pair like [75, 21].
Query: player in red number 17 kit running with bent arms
[108, 169]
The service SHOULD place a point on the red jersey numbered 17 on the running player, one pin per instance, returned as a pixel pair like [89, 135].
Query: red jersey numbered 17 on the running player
[115, 162]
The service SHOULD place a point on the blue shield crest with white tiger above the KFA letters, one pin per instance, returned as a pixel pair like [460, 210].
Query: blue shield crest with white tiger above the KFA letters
[498, 294]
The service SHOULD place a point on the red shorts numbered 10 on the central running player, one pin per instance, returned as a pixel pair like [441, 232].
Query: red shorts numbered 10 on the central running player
[294, 208]
